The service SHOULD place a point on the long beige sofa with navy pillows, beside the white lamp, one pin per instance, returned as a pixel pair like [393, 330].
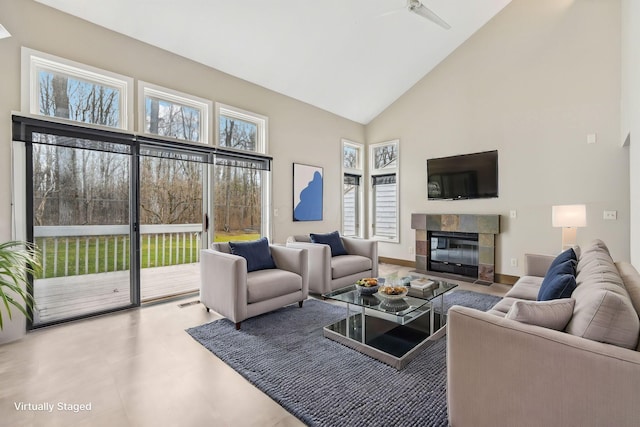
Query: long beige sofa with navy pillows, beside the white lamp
[505, 372]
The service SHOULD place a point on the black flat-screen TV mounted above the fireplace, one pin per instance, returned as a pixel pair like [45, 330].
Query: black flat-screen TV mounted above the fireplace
[468, 176]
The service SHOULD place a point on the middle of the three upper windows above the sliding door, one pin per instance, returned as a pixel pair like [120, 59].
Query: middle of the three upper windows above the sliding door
[166, 112]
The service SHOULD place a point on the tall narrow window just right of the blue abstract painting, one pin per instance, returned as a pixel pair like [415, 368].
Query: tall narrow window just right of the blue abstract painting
[352, 199]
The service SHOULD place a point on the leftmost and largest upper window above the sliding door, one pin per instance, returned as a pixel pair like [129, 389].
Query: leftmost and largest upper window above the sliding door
[57, 87]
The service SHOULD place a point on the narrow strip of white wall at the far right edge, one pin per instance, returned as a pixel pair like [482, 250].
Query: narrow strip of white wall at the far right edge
[630, 95]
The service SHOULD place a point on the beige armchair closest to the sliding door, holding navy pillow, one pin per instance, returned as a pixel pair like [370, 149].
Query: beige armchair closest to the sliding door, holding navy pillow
[228, 289]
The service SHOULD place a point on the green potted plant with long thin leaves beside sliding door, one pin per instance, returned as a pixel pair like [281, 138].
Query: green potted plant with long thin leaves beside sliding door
[18, 260]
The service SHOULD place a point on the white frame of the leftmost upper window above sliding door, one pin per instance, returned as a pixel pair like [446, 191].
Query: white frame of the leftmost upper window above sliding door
[34, 61]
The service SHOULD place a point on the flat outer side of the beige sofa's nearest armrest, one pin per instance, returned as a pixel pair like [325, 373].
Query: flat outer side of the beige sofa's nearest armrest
[503, 372]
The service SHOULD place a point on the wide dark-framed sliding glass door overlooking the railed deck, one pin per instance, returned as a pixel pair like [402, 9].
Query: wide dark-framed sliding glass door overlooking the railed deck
[120, 219]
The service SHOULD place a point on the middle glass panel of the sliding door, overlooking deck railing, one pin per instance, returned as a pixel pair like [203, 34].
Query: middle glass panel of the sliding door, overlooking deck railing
[172, 212]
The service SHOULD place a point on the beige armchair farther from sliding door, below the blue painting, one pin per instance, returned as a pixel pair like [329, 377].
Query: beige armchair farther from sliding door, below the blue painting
[327, 273]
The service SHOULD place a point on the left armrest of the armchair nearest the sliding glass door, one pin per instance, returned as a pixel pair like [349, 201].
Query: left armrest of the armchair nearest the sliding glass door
[223, 283]
